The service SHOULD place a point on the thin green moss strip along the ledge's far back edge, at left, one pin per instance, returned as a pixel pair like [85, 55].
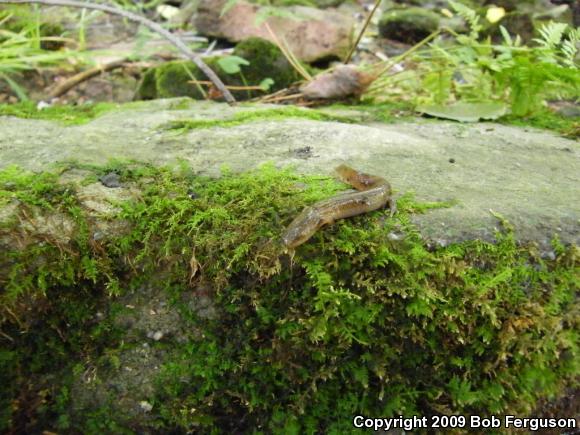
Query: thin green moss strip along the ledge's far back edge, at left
[69, 115]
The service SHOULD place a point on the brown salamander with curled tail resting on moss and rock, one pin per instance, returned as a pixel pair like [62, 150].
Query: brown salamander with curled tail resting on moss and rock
[373, 193]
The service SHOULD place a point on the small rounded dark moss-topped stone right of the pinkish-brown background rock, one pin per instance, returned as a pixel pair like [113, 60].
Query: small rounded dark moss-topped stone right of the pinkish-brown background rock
[408, 25]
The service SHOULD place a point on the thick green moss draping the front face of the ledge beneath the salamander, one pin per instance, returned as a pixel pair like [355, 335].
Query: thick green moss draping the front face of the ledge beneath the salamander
[356, 322]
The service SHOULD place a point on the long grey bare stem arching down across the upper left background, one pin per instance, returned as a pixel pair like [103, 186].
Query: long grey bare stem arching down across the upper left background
[145, 22]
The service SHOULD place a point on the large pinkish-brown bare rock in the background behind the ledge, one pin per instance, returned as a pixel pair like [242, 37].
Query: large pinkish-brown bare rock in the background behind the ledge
[311, 34]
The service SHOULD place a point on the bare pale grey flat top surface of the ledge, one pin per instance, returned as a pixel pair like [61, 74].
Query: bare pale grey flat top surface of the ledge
[529, 176]
